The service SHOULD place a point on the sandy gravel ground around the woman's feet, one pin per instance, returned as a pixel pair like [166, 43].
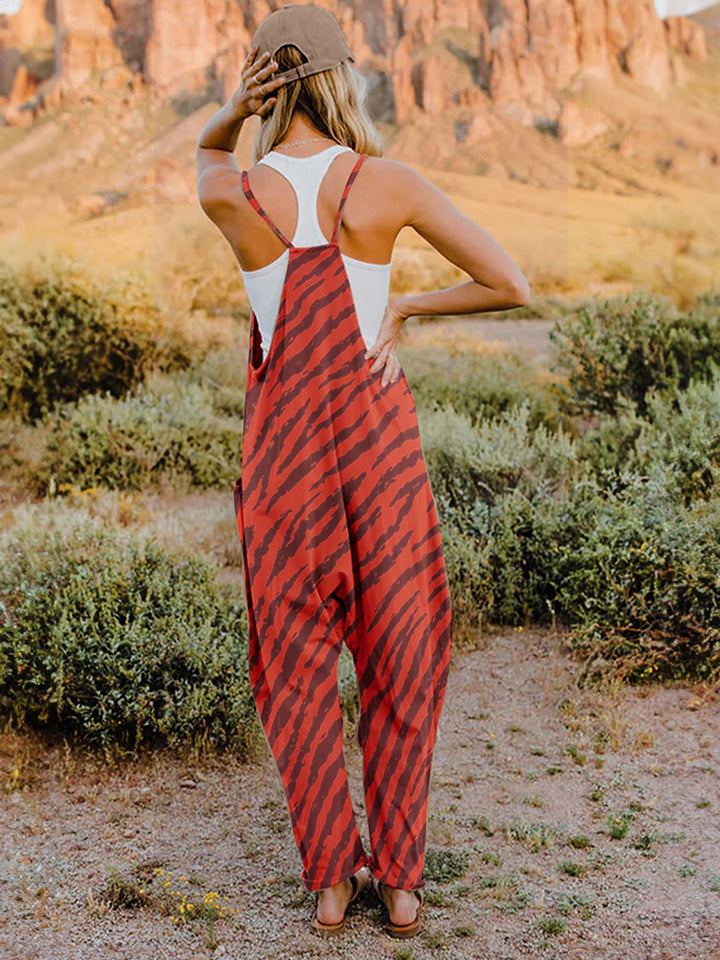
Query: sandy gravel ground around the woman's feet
[524, 762]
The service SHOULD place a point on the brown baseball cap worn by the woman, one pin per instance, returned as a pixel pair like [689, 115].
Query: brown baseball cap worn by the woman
[312, 29]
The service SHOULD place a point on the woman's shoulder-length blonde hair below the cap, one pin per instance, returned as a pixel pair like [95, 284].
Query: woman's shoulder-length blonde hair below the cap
[333, 100]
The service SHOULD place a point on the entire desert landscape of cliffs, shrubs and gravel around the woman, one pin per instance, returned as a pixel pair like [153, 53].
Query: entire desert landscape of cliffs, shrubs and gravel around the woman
[572, 445]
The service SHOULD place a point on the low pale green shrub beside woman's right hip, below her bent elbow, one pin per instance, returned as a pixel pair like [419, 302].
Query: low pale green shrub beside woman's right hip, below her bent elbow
[478, 385]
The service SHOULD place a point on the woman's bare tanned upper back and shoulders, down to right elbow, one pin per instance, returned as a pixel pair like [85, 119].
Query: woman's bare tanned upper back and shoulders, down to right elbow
[387, 196]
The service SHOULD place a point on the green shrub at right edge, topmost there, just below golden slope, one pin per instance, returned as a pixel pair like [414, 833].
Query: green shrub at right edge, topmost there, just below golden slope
[620, 349]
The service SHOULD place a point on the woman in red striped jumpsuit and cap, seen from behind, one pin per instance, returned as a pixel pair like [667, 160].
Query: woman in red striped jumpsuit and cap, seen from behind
[340, 535]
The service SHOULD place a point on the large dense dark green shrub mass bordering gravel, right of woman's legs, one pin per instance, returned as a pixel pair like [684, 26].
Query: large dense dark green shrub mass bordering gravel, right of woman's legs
[631, 574]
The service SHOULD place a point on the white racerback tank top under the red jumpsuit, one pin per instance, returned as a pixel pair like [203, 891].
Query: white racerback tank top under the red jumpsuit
[369, 282]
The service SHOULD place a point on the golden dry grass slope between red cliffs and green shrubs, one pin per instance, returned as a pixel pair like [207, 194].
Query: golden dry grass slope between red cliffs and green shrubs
[568, 241]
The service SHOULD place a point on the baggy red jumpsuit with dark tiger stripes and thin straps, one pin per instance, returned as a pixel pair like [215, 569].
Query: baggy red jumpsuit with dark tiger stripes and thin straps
[340, 544]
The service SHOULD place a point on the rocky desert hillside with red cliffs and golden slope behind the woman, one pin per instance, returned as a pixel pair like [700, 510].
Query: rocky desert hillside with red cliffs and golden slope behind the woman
[583, 135]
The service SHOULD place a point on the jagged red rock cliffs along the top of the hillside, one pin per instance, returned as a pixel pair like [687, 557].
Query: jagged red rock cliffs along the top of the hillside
[426, 57]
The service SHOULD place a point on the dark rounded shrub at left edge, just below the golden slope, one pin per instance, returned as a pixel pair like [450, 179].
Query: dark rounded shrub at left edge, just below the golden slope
[63, 336]
